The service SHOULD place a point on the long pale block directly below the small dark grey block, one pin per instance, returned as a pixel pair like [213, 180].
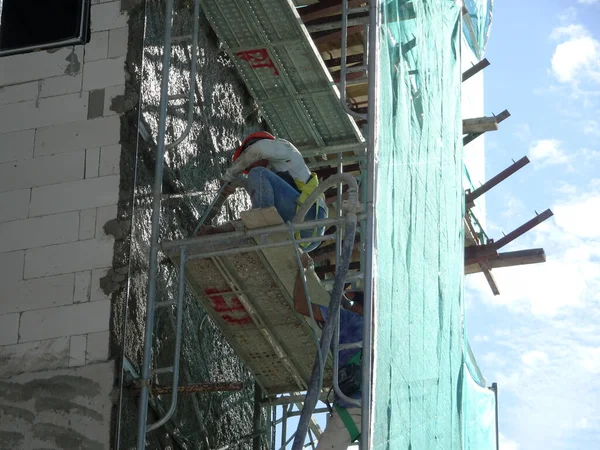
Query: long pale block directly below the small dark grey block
[77, 136]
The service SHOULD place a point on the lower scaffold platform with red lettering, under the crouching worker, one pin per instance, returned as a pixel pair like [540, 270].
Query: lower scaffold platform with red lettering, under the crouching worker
[249, 296]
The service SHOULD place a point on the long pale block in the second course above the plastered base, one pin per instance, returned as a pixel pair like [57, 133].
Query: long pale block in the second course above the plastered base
[62, 321]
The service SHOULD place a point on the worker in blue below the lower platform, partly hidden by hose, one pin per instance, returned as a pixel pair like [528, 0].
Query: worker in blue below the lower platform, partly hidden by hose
[344, 424]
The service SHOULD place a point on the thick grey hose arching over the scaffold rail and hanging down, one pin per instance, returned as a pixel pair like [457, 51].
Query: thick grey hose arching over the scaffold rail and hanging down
[316, 381]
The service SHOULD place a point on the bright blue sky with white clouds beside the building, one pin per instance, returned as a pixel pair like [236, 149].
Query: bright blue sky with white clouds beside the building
[540, 339]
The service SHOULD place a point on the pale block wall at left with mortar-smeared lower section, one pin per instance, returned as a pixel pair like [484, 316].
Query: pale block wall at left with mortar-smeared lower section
[59, 184]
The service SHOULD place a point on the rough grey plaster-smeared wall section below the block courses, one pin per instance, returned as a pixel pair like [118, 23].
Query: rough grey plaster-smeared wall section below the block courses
[59, 409]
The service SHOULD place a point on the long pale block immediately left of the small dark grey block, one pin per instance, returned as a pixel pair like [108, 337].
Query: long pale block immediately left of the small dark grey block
[45, 112]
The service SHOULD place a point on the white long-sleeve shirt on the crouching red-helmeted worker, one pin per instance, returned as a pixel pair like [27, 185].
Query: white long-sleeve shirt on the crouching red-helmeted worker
[282, 157]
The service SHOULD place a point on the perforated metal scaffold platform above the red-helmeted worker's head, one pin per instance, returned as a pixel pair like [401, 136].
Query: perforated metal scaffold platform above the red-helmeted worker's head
[283, 70]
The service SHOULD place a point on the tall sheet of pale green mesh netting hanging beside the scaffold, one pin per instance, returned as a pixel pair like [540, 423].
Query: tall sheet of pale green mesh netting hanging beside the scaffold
[419, 336]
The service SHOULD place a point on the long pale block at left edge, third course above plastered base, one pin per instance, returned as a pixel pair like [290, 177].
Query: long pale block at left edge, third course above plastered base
[37, 293]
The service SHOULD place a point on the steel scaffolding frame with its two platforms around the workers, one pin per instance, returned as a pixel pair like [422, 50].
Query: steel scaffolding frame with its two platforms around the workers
[282, 69]
